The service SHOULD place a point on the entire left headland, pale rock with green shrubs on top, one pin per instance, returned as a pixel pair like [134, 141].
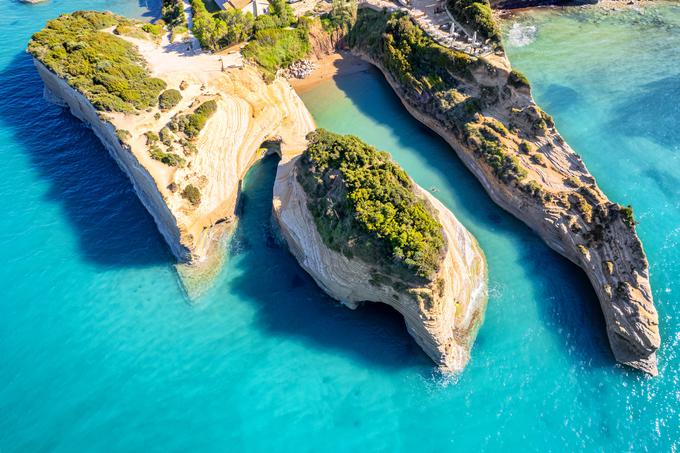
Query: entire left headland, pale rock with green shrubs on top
[186, 153]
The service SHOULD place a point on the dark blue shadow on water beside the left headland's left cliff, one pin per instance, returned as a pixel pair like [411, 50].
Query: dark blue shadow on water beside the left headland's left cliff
[98, 200]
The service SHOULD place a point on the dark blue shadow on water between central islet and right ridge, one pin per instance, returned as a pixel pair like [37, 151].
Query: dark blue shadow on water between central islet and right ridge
[567, 301]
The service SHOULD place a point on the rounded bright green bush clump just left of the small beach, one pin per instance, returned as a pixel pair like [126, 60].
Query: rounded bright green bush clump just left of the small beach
[276, 48]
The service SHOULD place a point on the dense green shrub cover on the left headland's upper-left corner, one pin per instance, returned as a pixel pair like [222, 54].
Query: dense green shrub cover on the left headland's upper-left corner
[106, 69]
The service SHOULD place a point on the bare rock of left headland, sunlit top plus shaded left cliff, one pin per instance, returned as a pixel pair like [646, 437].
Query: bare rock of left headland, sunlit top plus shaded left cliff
[248, 113]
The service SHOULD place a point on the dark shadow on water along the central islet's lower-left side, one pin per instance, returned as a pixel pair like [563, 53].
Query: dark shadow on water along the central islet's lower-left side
[290, 303]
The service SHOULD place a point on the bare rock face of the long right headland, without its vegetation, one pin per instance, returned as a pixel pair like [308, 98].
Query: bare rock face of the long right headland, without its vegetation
[630, 316]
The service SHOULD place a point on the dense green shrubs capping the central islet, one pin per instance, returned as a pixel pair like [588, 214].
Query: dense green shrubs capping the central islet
[364, 205]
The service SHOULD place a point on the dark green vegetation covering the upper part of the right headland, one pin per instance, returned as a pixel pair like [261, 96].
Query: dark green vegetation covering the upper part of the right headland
[434, 78]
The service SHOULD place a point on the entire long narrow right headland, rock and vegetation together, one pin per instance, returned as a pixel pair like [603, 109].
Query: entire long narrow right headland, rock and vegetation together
[485, 111]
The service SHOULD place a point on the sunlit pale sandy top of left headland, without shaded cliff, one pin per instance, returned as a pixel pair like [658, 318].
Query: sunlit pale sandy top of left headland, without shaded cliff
[249, 112]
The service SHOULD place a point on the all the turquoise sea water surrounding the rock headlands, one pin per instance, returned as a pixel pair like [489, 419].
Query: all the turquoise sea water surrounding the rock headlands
[101, 351]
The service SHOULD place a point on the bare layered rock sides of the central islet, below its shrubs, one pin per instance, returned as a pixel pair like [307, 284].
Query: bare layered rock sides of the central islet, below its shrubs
[442, 317]
